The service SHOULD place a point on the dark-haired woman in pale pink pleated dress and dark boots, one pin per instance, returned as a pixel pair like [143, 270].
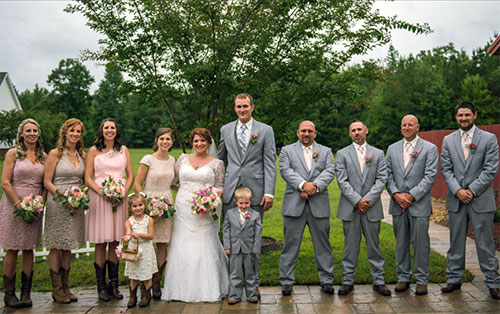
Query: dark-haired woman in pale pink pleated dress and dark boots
[108, 157]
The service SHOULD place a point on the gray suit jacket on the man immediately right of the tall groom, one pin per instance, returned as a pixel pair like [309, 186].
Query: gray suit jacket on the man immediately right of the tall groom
[294, 170]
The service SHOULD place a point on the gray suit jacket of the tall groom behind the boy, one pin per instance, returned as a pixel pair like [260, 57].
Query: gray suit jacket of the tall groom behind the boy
[255, 170]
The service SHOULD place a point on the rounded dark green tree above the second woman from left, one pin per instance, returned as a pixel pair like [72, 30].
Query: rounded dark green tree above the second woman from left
[71, 82]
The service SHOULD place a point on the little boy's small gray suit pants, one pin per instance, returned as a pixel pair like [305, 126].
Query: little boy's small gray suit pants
[242, 265]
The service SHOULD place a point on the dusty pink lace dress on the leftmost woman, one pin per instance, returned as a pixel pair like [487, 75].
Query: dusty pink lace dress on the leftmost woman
[15, 233]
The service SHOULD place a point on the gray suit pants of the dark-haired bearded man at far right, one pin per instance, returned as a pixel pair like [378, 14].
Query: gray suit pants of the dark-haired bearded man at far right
[482, 226]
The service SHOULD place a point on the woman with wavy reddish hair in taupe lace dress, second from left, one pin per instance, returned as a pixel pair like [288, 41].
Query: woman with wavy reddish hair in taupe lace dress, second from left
[64, 225]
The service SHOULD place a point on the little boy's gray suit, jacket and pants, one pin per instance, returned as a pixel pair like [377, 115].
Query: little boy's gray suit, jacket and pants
[243, 240]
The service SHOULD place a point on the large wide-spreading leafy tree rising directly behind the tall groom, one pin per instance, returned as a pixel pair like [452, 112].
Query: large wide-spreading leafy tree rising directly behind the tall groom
[198, 54]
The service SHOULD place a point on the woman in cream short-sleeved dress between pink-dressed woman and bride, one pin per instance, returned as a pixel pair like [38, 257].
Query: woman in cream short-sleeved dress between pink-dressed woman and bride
[157, 173]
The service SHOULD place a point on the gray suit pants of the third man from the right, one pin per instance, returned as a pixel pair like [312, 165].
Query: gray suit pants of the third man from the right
[352, 235]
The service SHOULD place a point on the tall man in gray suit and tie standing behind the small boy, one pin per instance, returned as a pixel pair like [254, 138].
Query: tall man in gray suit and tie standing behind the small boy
[249, 149]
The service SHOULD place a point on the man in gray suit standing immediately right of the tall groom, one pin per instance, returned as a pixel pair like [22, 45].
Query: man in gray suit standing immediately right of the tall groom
[308, 168]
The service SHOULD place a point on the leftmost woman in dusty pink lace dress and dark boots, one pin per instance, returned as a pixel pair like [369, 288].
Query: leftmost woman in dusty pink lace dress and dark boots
[22, 175]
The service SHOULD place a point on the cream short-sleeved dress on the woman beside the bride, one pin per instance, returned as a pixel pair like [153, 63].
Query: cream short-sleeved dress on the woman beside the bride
[160, 177]
